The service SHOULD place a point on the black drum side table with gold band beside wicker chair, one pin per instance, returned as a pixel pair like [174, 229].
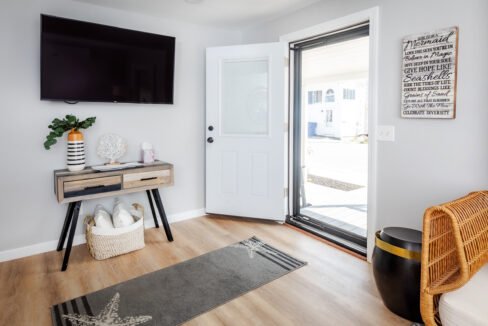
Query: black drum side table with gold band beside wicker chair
[396, 269]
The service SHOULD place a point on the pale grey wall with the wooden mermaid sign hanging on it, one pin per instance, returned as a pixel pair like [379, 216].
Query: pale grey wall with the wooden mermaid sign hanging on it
[431, 161]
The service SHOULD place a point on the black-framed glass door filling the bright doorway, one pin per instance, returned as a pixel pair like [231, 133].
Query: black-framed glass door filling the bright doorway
[331, 136]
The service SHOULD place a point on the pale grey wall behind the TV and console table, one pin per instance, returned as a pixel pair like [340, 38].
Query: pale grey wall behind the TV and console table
[30, 213]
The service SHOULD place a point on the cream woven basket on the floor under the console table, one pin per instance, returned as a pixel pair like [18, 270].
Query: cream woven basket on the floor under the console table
[124, 240]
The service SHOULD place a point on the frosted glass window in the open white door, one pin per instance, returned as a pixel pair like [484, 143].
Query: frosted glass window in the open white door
[244, 97]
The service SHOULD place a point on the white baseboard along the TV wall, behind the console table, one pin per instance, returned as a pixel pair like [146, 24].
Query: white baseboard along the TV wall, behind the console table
[42, 247]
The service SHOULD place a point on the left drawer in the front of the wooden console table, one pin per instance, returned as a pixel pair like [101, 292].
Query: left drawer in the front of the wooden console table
[92, 186]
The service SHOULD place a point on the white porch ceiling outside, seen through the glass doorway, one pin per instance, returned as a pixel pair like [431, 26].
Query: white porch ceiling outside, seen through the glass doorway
[337, 60]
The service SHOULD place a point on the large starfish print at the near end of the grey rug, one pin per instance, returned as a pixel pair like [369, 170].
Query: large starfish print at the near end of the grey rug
[107, 317]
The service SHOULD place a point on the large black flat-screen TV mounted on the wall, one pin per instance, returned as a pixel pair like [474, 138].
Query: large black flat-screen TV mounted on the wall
[83, 61]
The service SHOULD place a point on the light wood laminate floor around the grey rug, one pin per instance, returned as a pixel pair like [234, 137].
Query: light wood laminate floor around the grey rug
[335, 288]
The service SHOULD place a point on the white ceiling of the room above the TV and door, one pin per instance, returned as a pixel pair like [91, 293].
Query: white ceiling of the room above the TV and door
[233, 14]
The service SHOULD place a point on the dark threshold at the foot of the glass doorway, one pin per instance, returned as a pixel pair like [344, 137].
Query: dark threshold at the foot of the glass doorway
[337, 242]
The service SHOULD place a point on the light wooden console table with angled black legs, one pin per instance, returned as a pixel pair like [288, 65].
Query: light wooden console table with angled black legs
[74, 187]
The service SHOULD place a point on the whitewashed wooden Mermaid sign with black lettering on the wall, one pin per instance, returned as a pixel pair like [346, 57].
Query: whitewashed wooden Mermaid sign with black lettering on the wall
[430, 74]
